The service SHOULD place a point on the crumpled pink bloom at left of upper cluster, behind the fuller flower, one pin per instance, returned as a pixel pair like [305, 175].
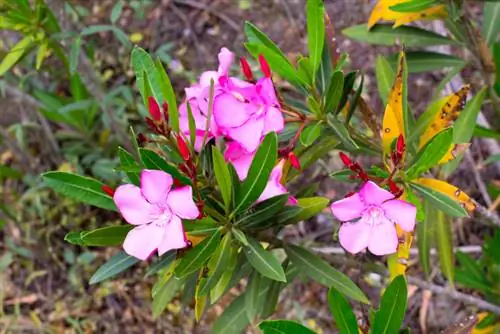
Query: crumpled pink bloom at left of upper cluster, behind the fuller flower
[198, 97]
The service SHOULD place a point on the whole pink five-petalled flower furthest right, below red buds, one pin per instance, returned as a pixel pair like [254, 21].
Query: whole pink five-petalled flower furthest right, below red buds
[376, 212]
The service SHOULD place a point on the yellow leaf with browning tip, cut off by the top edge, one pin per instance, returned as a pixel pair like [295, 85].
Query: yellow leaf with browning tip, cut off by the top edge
[383, 12]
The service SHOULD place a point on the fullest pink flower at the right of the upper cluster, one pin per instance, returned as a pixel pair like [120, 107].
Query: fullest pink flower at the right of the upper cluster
[247, 114]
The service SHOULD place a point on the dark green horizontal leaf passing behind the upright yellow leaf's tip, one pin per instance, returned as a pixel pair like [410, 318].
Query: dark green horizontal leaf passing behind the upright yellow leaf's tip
[426, 61]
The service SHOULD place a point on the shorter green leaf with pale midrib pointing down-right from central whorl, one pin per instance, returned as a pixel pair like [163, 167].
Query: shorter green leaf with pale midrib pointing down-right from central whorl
[263, 261]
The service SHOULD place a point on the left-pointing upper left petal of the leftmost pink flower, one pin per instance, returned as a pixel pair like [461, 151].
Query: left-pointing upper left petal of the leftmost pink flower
[132, 205]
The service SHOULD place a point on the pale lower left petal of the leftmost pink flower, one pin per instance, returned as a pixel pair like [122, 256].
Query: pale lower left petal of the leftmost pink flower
[143, 240]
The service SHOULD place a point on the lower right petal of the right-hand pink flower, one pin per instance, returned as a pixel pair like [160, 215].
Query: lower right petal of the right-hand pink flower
[383, 239]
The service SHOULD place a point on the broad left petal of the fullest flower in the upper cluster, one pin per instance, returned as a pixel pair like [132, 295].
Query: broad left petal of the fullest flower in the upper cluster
[229, 112]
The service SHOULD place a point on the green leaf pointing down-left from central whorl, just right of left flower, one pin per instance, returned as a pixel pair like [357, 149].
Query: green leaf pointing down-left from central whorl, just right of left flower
[198, 255]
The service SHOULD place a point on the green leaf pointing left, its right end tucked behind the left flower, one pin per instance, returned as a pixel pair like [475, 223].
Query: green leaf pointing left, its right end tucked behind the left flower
[105, 236]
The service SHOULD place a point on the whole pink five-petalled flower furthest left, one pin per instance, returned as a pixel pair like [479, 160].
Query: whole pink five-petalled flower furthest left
[157, 211]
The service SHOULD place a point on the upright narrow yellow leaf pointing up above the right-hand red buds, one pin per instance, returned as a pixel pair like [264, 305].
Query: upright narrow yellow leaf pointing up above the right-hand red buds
[393, 124]
